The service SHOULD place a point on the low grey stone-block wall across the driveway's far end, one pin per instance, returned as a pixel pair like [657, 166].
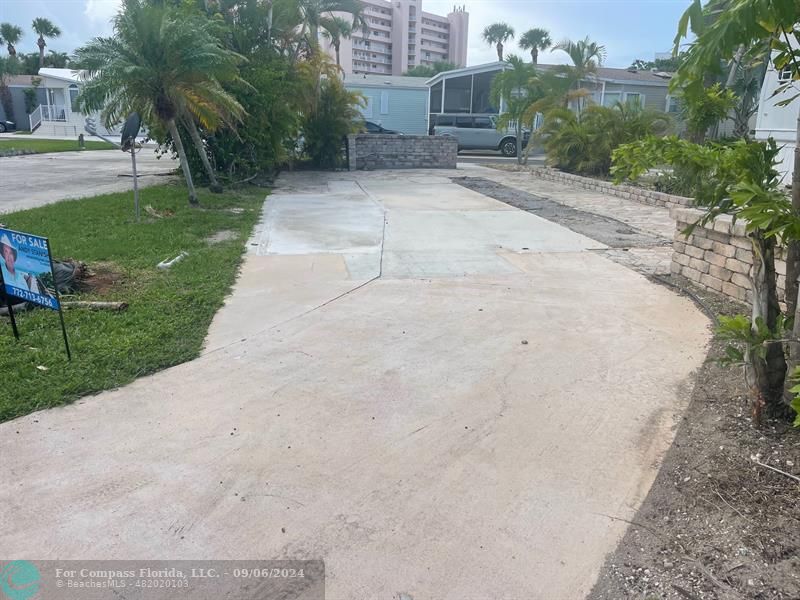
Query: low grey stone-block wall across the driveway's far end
[372, 151]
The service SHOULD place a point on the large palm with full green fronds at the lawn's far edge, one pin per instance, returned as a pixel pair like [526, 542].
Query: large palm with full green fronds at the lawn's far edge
[164, 65]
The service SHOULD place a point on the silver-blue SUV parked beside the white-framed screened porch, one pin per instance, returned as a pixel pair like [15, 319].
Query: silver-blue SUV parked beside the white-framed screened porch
[478, 132]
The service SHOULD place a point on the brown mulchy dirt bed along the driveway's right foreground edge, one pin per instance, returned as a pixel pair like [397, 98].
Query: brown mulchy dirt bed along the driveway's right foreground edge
[715, 525]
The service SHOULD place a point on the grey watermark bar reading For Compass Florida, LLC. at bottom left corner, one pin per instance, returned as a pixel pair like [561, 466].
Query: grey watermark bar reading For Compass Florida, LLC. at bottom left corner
[162, 579]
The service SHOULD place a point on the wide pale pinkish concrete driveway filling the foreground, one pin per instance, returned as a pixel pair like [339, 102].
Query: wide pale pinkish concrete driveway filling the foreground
[440, 395]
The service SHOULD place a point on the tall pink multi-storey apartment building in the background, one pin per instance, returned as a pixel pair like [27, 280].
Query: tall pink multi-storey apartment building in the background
[399, 35]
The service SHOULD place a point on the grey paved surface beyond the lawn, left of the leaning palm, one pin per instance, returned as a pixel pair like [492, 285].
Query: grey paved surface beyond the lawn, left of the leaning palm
[38, 179]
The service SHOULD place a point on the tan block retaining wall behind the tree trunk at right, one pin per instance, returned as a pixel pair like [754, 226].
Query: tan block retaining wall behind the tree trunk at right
[718, 256]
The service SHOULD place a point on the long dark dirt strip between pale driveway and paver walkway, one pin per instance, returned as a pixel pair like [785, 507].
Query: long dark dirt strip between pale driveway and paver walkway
[610, 232]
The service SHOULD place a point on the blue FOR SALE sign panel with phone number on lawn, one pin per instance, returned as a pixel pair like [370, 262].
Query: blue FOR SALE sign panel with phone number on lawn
[25, 267]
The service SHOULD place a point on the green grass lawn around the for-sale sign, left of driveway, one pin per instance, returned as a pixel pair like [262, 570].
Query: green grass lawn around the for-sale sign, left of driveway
[169, 310]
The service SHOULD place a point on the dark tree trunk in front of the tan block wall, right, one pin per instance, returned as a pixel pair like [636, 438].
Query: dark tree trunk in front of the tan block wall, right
[768, 372]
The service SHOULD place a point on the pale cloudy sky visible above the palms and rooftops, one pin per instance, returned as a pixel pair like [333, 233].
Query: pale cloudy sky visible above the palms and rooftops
[629, 29]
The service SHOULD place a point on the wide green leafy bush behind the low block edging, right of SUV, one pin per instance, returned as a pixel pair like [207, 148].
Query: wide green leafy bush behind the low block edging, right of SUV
[583, 143]
